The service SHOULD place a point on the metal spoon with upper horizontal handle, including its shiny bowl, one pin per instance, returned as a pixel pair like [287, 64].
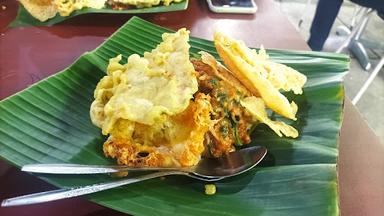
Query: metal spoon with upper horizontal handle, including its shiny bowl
[233, 163]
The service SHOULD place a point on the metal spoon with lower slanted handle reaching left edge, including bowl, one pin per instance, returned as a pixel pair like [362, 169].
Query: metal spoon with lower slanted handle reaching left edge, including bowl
[207, 170]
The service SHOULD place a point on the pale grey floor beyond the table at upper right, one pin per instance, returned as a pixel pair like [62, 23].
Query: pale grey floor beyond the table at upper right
[371, 104]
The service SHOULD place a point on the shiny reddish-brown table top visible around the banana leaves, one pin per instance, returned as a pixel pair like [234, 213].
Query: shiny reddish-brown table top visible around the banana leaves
[24, 60]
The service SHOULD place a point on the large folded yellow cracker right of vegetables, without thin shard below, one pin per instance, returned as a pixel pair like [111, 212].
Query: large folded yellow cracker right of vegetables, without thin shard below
[261, 75]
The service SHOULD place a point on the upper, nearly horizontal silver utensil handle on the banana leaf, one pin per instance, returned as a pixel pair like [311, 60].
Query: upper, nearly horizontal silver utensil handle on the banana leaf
[86, 169]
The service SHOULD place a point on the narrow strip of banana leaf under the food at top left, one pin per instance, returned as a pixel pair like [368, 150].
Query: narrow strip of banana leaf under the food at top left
[24, 18]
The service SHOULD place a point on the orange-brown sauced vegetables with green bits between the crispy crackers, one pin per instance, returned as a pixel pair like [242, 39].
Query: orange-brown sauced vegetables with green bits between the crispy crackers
[232, 123]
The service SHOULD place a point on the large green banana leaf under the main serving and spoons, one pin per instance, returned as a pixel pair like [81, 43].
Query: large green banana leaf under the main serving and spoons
[49, 123]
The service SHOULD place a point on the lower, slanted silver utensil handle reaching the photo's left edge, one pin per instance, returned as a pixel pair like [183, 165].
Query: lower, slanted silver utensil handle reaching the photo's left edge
[77, 191]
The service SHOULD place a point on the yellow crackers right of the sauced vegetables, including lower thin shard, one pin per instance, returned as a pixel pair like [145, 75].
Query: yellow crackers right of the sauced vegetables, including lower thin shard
[265, 78]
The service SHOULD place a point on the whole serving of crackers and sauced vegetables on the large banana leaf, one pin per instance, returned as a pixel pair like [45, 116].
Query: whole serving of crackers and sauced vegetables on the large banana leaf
[226, 103]
